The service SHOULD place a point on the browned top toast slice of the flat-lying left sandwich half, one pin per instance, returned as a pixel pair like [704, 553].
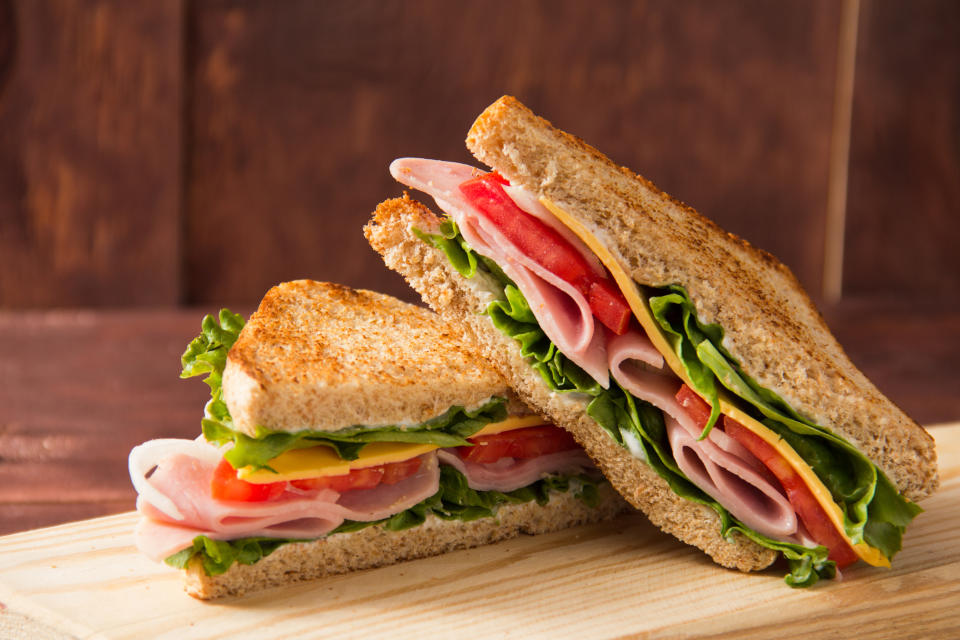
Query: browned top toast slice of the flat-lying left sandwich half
[322, 357]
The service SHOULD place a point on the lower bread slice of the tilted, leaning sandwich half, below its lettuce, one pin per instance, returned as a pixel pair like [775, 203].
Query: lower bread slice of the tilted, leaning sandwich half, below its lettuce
[430, 274]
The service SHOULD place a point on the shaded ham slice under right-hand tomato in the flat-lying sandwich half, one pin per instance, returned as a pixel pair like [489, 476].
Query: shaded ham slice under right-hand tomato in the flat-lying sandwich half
[508, 474]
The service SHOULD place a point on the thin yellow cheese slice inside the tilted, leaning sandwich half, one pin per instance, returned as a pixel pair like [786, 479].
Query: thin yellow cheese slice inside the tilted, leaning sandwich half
[639, 306]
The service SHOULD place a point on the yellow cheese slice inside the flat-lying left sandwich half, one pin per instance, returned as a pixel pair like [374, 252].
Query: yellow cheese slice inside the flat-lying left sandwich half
[319, 461]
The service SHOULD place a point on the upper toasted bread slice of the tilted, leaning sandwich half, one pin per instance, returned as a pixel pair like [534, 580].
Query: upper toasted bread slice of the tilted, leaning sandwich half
[771, 326]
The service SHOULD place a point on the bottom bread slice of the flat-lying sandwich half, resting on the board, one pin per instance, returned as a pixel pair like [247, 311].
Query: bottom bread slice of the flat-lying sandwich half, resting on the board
[377, 547]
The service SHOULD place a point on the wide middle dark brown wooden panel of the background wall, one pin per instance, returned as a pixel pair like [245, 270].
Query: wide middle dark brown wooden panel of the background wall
[295, 115]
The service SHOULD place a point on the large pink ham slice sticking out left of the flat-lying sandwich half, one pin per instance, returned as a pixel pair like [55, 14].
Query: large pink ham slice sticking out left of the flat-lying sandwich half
[184, 480]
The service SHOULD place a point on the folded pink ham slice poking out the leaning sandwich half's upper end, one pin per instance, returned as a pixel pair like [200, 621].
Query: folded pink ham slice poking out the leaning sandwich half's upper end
[561, 311]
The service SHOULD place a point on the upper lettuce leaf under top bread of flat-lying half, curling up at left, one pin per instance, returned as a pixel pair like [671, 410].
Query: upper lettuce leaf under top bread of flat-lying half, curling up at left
[207, 354]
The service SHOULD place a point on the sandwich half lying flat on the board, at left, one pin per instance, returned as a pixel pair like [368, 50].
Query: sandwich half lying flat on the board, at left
[349, 430]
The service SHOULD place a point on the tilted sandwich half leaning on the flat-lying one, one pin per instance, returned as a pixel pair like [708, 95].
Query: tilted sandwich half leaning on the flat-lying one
[691, 366]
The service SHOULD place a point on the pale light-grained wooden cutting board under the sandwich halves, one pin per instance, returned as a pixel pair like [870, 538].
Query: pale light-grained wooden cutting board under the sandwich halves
[86, 580]
